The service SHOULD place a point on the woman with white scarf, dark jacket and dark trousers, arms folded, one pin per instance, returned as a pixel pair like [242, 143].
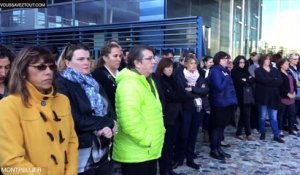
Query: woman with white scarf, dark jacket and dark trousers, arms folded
[195, 86]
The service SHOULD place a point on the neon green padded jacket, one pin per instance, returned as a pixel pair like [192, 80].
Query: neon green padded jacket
[140, 119]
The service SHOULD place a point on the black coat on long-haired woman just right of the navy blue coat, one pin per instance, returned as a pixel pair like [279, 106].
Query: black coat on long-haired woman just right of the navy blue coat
[237, 75]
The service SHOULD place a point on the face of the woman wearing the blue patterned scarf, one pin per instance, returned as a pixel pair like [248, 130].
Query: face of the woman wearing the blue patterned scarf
[80, 62]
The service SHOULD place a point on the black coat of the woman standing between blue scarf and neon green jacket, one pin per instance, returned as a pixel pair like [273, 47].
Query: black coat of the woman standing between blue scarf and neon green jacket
[107, 81]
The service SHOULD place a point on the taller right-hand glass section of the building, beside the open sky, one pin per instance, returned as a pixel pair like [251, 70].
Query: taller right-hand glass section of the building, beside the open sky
[229, 25]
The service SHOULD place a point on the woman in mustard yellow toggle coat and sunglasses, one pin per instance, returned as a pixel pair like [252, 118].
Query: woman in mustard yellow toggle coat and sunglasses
[36, 128]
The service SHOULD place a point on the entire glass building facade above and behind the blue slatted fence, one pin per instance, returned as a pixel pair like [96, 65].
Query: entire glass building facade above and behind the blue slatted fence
[229, 25]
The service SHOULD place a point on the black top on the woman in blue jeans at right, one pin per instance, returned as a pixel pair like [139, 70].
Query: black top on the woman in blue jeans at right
[267, 87]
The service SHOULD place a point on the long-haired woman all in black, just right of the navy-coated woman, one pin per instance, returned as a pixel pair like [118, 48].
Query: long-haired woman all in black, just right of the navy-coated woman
[241, 79]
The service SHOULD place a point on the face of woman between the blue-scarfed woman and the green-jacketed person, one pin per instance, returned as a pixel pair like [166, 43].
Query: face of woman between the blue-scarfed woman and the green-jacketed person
[113, 59]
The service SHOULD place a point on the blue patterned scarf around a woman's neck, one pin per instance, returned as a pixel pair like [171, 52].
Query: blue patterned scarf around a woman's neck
[91, 88]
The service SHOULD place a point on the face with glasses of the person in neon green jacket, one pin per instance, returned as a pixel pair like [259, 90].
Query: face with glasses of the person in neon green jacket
[145, 66]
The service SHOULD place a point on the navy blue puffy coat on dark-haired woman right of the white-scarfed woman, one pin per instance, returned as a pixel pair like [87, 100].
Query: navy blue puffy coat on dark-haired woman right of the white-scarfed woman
[221, 88]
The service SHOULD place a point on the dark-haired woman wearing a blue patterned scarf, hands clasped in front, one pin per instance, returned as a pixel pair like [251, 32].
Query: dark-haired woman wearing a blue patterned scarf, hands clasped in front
[92, 114]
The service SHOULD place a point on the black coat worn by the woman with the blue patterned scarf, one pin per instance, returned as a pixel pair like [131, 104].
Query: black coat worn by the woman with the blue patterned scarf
[84, 119]
